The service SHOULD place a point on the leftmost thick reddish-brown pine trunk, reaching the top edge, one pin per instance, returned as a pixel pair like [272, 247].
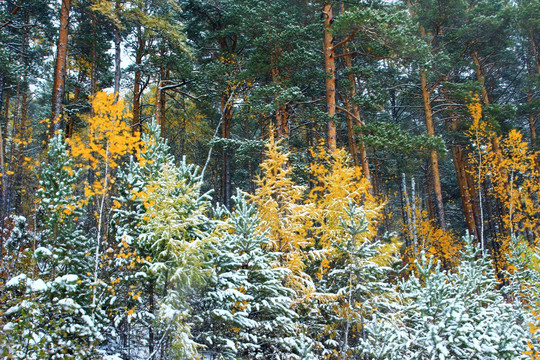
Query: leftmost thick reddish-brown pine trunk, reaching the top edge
[60, 69]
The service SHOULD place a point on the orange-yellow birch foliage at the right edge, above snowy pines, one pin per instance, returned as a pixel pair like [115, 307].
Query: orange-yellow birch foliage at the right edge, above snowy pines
[509, 168]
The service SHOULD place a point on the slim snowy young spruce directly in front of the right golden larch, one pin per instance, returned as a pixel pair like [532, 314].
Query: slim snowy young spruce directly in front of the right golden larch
[358, 280]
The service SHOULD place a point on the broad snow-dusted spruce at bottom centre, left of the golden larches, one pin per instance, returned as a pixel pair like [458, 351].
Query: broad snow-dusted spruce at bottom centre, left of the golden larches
[245, 312]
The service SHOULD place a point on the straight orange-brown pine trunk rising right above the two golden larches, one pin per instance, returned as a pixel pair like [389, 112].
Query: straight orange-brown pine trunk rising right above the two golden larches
[330, 70]
